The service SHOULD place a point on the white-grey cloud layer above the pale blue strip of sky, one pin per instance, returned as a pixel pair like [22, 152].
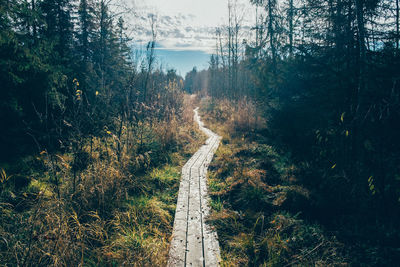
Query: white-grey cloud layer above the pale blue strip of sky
[182, 25]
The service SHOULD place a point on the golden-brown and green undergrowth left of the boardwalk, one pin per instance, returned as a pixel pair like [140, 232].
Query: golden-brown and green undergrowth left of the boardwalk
[103, 205]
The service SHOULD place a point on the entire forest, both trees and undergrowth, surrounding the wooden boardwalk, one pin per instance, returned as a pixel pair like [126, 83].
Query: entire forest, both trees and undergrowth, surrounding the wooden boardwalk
[94, 134]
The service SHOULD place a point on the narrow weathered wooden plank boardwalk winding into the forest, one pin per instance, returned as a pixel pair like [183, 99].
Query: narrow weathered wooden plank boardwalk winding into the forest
[194, 243]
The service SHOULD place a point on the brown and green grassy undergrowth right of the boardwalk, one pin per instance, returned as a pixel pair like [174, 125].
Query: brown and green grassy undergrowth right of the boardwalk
[257, 203]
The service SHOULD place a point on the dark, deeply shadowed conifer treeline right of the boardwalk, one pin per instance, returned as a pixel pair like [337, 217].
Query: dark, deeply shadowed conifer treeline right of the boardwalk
[325, 76]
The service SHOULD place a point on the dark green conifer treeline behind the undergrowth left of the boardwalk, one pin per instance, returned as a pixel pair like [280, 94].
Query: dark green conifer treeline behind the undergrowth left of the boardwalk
[68, 69]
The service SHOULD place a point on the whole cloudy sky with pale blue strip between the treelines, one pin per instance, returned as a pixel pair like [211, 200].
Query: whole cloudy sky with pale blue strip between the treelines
[185, 29]
